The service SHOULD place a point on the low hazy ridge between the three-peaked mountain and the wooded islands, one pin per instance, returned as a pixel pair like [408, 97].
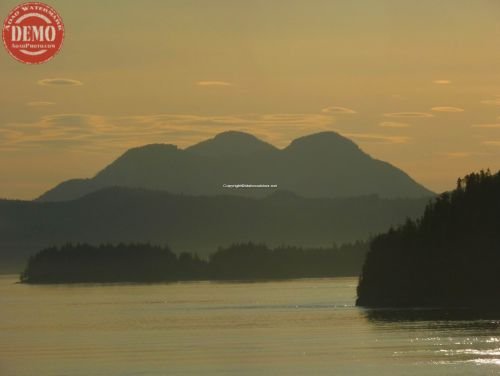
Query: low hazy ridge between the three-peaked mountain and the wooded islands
[193, 223]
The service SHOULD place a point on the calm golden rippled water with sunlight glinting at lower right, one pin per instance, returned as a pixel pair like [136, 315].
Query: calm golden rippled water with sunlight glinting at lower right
[302, 327]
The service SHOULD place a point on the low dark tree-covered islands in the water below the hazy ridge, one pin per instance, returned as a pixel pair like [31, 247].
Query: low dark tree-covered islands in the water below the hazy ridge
[147, 263]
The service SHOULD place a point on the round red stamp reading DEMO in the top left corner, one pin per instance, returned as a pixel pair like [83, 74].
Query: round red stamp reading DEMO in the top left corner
[33, 33]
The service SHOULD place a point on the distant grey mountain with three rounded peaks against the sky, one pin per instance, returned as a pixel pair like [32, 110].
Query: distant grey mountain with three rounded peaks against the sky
[320, 165]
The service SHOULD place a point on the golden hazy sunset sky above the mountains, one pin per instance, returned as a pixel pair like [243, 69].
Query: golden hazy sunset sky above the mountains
[414, 83]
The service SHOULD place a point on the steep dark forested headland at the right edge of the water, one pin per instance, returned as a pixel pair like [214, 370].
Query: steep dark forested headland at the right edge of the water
[448, 258]
